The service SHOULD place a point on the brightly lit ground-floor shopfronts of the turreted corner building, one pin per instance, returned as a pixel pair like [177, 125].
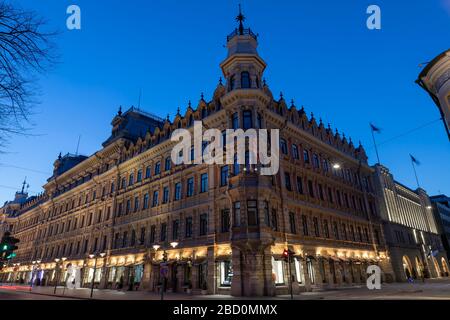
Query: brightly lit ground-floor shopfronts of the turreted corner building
[218, 269]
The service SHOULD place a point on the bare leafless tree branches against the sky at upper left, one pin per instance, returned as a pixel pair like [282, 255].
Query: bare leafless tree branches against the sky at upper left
[26, 50]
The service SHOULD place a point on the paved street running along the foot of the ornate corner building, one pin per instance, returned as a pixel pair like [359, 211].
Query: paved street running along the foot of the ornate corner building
[431, 289]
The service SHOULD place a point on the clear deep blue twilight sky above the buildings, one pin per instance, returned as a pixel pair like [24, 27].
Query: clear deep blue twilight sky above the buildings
[318, 52]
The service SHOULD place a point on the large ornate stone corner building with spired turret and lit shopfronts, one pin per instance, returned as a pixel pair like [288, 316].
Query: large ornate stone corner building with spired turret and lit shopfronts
[229, 224]
